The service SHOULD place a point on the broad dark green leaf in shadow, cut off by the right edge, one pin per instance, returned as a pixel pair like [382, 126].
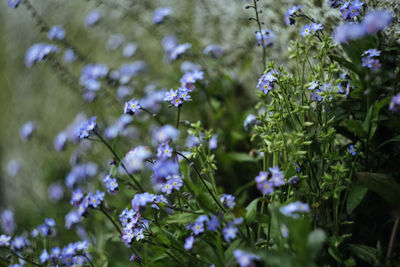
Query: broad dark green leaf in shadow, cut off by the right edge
[381, 184]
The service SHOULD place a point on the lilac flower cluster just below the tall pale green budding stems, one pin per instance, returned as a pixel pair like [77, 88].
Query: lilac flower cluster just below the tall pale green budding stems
[268, 181]
